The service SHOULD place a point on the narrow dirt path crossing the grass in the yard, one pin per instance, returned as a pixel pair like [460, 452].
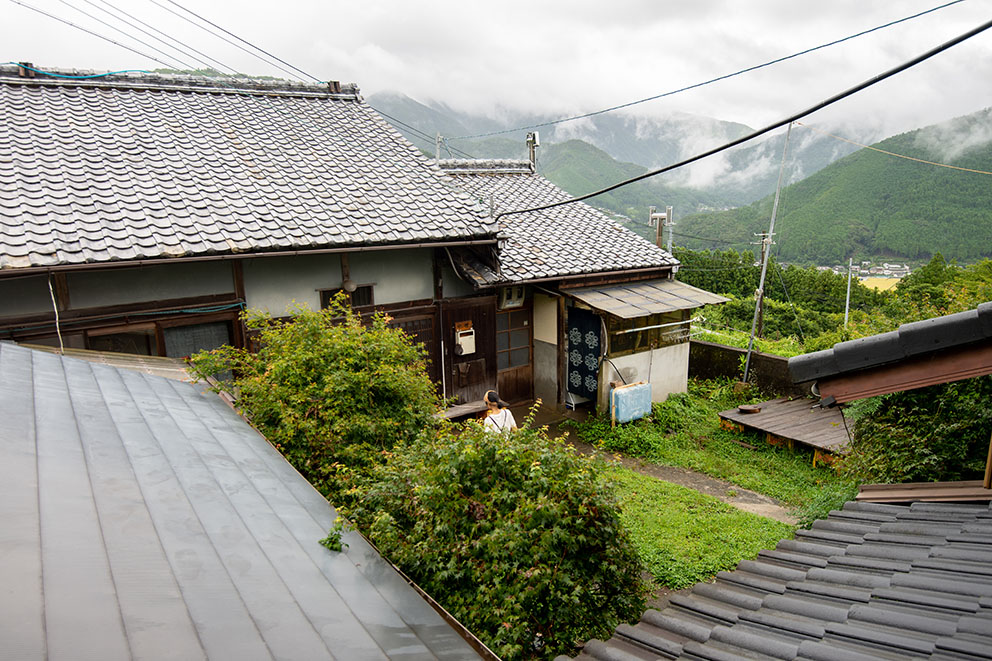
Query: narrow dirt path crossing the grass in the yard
[749, 501]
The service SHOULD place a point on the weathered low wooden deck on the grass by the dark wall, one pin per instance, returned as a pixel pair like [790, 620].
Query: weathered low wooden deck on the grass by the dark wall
[790, 421]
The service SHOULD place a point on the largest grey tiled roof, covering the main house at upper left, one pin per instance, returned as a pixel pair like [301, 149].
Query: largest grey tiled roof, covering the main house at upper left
[144, 166]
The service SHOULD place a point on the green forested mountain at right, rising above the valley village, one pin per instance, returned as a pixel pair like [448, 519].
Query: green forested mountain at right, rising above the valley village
[873, 204]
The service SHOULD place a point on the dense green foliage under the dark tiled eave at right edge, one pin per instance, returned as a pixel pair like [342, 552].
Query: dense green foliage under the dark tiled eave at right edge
[937, 433]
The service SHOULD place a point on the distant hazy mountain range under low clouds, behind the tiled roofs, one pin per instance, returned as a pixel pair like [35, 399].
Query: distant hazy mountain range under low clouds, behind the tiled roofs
[730, 179]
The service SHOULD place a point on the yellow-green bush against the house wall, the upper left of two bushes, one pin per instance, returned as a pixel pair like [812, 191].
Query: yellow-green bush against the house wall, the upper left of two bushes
[330, 393]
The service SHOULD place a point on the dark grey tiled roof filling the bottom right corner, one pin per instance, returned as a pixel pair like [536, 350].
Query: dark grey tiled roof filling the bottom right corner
[869, 582]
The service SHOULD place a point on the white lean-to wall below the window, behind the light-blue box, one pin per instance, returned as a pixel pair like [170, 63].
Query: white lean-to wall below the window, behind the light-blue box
[666, 369]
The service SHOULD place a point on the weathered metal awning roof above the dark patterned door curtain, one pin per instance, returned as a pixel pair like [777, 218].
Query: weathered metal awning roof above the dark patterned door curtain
[639, 299]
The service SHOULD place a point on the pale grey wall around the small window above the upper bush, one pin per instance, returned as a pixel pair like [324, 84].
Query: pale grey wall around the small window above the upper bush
[274, 283]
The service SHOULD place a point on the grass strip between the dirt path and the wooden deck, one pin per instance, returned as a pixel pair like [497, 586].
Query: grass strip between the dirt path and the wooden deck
[685, 431]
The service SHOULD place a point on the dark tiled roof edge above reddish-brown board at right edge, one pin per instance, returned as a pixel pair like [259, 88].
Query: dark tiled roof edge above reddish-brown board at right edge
[910, 340]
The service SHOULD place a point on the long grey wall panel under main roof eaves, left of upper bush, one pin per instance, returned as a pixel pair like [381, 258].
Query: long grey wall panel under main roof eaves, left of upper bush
[118, 286]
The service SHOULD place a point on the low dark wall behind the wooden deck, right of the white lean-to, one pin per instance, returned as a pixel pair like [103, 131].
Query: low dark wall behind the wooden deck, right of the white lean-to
[770, 373]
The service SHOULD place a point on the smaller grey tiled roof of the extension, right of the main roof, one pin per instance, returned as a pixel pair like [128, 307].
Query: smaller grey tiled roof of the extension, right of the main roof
[568, 240]
